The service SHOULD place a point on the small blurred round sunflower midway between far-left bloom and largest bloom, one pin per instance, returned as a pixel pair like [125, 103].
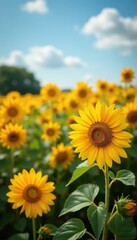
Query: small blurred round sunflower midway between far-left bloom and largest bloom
[51, 131]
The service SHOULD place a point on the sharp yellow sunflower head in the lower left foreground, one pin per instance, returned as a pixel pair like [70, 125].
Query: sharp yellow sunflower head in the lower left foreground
[32, 192]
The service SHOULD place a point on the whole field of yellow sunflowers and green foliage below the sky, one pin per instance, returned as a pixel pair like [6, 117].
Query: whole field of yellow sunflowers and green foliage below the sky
[68, 162]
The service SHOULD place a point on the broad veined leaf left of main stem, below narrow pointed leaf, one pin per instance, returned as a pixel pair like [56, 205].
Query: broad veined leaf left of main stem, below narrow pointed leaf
[82, 197]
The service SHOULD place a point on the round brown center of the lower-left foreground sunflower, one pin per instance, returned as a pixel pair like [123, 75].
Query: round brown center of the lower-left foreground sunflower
[32, 194]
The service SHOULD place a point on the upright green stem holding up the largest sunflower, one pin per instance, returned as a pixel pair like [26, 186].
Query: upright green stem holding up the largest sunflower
[106, 201]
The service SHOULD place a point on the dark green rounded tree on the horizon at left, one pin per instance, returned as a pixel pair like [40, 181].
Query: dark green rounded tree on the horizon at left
[17, 79]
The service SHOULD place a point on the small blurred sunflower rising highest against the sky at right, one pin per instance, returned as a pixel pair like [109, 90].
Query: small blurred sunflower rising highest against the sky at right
[127, 75]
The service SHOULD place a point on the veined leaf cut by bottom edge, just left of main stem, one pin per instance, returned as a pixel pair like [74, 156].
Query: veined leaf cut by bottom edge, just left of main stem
[71, 230]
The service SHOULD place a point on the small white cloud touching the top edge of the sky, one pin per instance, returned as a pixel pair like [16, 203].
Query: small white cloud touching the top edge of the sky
[39, 6]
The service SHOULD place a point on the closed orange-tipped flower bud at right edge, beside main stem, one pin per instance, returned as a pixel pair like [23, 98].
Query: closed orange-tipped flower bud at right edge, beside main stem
[126, 207]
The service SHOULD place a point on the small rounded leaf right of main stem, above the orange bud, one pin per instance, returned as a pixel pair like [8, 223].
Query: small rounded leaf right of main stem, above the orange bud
[126, 177]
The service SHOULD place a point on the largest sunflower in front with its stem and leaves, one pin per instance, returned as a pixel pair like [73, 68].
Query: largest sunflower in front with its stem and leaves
[99, 137]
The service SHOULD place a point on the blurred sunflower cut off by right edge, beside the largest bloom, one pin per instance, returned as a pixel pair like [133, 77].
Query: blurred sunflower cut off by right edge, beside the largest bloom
[130, 109]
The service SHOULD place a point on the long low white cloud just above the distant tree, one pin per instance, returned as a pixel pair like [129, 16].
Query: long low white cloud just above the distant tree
[41, 57]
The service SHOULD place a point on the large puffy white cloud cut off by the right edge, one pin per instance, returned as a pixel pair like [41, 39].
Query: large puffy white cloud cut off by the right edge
[112, 30]
